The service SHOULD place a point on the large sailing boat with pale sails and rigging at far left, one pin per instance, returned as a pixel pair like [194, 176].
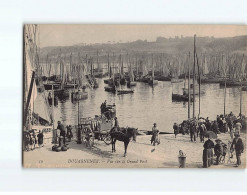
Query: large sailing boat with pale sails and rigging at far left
[32, 121]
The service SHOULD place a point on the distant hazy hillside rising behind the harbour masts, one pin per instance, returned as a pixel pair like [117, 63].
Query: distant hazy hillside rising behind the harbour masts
[161, 45]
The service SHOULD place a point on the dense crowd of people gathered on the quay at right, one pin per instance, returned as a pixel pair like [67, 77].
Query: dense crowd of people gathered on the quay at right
[201, 128]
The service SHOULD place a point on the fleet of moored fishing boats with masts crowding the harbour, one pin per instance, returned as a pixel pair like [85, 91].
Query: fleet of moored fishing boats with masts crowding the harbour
[69, 75]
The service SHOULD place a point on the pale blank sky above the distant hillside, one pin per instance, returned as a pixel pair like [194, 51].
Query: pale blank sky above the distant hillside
[72, 34]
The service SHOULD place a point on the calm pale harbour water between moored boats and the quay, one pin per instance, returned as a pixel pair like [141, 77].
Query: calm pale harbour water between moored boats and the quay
[148, 105]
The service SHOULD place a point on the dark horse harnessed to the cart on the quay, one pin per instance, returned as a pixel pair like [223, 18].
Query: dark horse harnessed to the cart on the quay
[124, 135]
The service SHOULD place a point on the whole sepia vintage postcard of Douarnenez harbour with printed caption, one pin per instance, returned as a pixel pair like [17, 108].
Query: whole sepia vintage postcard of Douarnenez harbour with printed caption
[134, 96]
